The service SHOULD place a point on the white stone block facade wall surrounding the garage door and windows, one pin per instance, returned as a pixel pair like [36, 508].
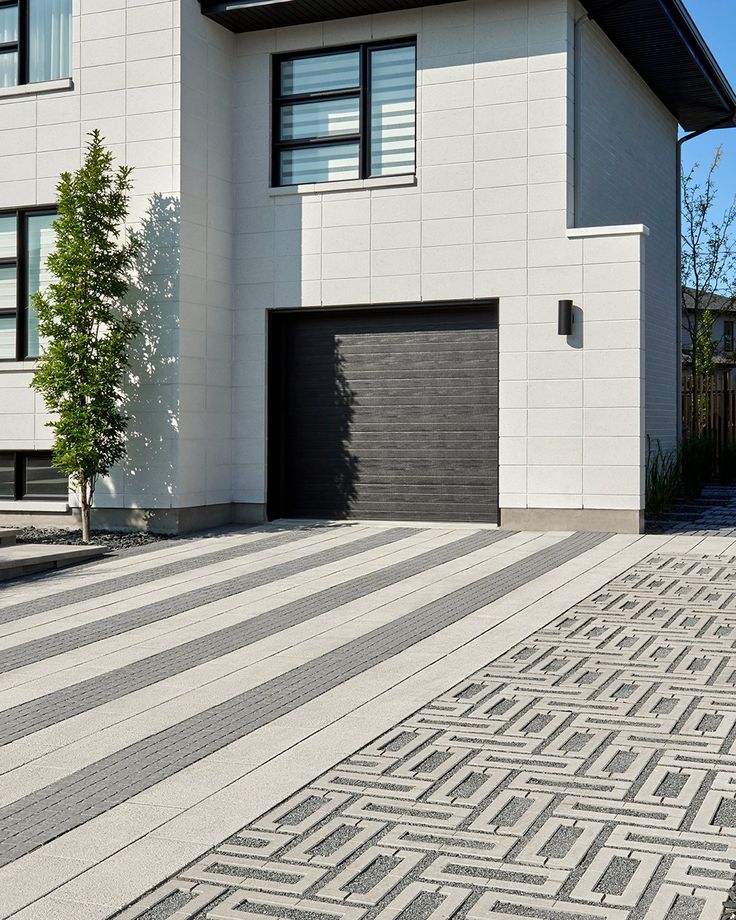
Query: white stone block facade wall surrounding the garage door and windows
[490, 215]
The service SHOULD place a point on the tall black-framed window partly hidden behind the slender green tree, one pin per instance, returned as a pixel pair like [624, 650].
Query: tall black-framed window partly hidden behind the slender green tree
[26, 241]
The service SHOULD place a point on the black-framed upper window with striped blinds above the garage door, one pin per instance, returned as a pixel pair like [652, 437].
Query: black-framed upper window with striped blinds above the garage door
[348, 113]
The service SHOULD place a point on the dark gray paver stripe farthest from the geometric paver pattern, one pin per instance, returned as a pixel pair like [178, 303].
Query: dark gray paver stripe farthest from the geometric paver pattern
[144, 576]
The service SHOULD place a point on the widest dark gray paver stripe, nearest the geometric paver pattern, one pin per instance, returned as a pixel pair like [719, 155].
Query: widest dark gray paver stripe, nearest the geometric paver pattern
[45, 814]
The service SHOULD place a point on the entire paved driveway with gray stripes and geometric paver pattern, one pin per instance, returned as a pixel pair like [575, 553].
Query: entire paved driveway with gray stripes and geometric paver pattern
[156, 705]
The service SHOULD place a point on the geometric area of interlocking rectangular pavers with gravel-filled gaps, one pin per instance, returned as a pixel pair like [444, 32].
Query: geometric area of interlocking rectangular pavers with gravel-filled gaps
[587, 774]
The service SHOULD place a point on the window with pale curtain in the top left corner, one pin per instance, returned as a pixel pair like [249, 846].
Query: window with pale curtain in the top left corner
[35, 41]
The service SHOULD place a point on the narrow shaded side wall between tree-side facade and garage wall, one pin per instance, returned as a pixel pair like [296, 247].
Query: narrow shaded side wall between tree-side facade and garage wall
[206, 317]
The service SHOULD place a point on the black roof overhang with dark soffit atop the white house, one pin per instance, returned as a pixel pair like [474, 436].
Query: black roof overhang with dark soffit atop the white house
[657, 36]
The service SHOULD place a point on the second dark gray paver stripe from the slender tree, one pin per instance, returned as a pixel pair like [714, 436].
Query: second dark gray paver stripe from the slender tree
[26, 653]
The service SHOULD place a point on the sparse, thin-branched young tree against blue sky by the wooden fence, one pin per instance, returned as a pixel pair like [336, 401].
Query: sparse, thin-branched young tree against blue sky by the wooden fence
[708, 272]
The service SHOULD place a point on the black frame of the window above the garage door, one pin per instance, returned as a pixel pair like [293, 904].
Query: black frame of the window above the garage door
[362, 93]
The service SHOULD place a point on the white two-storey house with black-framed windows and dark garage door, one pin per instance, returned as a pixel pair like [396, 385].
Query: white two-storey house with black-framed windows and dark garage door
[363, 219]
